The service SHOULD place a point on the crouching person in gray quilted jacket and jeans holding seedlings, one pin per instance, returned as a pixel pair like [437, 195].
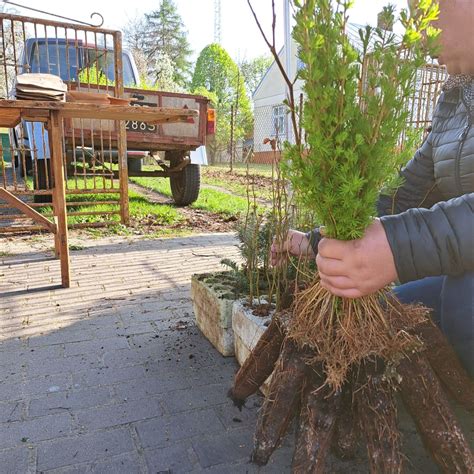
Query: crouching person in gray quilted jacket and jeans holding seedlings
[428, 243]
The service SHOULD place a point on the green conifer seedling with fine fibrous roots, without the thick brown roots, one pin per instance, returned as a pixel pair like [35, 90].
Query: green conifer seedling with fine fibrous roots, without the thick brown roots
[354, 113]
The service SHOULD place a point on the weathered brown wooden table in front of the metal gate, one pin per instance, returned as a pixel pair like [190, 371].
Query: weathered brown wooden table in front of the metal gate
[12, 112]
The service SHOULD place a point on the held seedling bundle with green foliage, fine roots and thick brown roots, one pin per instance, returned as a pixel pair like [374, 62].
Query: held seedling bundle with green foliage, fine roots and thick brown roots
[337, 362]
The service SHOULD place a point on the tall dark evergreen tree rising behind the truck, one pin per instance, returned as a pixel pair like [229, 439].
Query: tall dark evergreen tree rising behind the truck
[165, 35]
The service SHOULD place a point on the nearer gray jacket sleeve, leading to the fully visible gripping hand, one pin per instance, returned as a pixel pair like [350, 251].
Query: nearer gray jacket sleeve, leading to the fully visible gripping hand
[431, 242]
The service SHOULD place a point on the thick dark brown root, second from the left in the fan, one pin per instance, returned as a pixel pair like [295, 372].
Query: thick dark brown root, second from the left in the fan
[281, 404]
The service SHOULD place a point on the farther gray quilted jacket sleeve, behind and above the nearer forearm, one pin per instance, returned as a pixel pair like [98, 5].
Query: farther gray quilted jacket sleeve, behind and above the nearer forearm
[418, 188]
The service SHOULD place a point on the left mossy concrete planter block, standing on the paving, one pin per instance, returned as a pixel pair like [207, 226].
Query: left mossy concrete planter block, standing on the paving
[213, 298]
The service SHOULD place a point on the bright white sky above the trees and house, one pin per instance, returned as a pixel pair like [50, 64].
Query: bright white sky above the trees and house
[240, 36]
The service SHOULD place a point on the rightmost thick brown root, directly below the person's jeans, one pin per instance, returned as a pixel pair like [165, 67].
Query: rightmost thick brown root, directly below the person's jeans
[445, 363]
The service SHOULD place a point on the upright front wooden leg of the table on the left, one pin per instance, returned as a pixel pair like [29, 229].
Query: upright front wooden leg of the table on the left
[59, 196]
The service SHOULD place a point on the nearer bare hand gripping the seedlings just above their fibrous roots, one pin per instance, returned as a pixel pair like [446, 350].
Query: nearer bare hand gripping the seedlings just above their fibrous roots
[356, 268]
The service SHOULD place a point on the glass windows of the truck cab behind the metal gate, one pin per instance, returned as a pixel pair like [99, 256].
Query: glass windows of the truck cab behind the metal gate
[67, 62]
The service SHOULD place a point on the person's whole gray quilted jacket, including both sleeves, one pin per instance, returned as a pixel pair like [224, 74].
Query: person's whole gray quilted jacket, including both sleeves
[429, 221]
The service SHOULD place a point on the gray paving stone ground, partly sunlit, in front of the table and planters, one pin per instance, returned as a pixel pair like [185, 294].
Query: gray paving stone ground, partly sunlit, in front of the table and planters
[112, 375]
